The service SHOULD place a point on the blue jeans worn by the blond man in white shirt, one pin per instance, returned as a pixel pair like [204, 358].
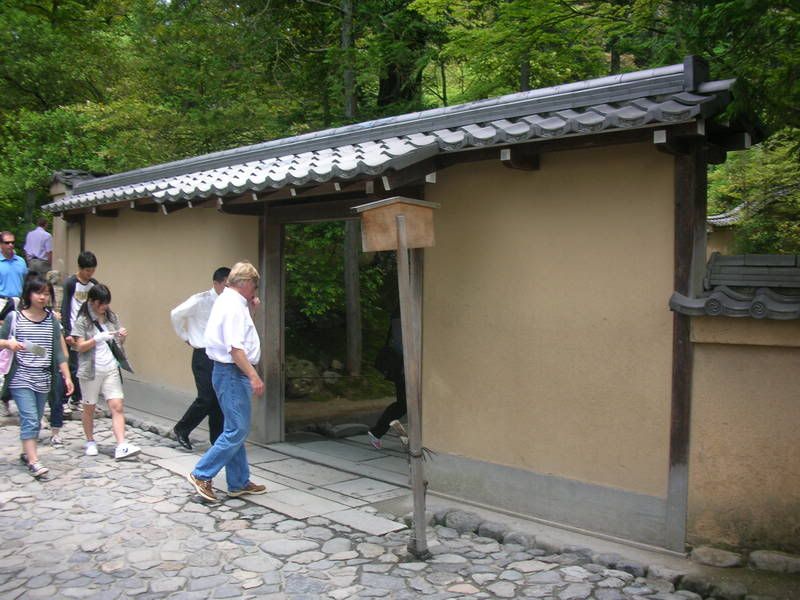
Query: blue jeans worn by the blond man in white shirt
[234, 392]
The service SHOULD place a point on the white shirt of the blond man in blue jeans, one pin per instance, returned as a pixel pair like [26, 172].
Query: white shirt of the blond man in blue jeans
[231, 326]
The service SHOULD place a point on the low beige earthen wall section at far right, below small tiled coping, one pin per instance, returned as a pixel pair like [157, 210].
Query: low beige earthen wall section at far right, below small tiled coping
[744, 465]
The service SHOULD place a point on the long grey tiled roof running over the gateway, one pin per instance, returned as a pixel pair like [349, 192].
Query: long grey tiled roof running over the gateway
[668, 95]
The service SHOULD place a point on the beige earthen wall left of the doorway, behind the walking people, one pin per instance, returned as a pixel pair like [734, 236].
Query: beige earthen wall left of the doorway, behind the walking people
[152, 262]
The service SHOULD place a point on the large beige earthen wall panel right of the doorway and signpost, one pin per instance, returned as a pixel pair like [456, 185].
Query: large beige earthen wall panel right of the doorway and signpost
[547, 337]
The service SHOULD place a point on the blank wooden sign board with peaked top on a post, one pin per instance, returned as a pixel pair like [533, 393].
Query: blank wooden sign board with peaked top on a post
[379, 223]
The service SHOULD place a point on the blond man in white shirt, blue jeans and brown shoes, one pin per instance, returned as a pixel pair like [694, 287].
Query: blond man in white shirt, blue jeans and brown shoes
[232, 343]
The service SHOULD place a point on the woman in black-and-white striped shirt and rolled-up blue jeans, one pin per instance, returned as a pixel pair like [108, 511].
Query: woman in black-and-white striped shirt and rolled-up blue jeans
[38, 358]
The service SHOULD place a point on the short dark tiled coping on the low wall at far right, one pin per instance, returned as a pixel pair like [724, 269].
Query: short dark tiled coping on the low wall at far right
[761, 286]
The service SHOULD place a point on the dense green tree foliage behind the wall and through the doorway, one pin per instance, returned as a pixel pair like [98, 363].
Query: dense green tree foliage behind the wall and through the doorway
[111, 85]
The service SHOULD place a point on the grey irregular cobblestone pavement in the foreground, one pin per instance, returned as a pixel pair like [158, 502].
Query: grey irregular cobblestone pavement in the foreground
[96, 528]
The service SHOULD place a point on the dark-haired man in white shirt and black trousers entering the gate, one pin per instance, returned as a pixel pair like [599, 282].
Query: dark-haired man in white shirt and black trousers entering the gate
[189, 319]
